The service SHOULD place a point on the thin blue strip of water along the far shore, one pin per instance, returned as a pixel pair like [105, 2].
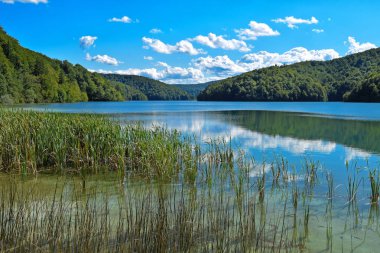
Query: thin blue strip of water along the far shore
[369, 111]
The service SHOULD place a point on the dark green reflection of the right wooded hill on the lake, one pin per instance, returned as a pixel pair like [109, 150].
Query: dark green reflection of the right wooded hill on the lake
[363, 135]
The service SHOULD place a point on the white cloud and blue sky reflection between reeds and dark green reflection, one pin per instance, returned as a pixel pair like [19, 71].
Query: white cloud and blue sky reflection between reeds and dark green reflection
[263, 147]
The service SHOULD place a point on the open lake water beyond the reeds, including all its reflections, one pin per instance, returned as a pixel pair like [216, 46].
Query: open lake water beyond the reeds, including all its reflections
[332, 133]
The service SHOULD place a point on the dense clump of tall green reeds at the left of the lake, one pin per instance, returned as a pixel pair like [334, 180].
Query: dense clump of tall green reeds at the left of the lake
[31, 142]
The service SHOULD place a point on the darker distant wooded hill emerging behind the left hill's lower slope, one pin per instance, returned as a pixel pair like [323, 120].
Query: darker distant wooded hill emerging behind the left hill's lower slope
[153, 89]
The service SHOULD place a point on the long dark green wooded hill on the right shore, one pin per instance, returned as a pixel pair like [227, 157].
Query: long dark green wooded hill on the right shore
[351, 78]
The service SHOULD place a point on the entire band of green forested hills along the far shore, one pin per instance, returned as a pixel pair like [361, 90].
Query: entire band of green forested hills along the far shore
[30, 77]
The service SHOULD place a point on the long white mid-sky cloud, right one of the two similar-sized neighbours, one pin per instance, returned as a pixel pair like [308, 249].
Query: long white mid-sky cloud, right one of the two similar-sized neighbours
[215, 41]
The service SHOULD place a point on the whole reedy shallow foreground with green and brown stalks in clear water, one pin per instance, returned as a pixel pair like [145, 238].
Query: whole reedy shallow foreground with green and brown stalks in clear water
[168, 193]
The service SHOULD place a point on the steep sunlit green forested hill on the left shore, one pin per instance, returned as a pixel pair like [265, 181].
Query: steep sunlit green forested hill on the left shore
[30, 77]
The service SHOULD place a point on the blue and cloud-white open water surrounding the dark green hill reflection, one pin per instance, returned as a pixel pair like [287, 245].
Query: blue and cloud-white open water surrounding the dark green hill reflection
[191, 117]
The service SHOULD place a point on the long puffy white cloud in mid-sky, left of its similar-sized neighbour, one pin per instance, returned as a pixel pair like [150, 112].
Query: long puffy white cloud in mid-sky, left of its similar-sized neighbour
[183, 46]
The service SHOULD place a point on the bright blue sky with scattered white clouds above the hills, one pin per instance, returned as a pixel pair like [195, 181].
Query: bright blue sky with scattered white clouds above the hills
[191, 41]
